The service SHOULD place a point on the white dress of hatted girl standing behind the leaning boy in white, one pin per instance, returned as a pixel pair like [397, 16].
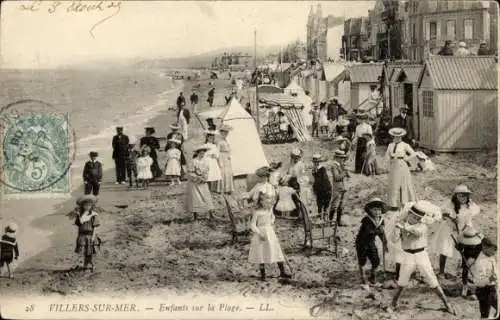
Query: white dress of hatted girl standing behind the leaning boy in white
[441, 241]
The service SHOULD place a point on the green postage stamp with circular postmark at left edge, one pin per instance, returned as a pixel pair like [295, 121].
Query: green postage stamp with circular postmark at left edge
[38, 148]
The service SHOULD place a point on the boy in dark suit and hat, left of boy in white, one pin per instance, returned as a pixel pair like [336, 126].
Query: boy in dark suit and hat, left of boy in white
[372, 225]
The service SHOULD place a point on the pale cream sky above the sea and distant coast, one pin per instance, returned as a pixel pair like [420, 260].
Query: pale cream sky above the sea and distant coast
[149, 29]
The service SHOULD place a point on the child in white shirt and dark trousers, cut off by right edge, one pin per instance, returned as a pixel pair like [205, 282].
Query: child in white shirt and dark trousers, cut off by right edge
[485, 276]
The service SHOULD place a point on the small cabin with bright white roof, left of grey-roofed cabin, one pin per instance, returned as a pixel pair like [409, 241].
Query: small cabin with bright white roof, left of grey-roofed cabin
[334, 74]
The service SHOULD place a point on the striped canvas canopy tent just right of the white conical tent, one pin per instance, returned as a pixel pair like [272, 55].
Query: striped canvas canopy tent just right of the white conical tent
[292, 108]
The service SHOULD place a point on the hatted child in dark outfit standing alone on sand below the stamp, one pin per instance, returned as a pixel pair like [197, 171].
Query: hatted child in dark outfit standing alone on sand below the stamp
[86, 221]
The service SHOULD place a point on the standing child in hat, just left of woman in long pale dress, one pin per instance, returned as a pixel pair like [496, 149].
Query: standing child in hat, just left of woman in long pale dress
[339, 175]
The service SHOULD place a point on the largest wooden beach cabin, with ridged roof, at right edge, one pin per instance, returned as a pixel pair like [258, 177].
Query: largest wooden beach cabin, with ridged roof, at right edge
[458, 101]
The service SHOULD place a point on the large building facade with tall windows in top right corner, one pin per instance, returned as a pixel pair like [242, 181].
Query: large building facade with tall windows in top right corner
[431, 23]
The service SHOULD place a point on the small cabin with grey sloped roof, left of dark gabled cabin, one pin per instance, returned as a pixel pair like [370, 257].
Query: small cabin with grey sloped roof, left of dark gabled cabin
[361, 76]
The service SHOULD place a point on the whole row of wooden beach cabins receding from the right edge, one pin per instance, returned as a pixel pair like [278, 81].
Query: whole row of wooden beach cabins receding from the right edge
[453, 100]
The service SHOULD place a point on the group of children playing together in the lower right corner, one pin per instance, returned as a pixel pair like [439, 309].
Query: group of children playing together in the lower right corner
[409, 232]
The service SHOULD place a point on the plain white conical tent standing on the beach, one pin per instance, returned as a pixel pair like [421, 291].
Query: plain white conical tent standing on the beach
[247, 154]
